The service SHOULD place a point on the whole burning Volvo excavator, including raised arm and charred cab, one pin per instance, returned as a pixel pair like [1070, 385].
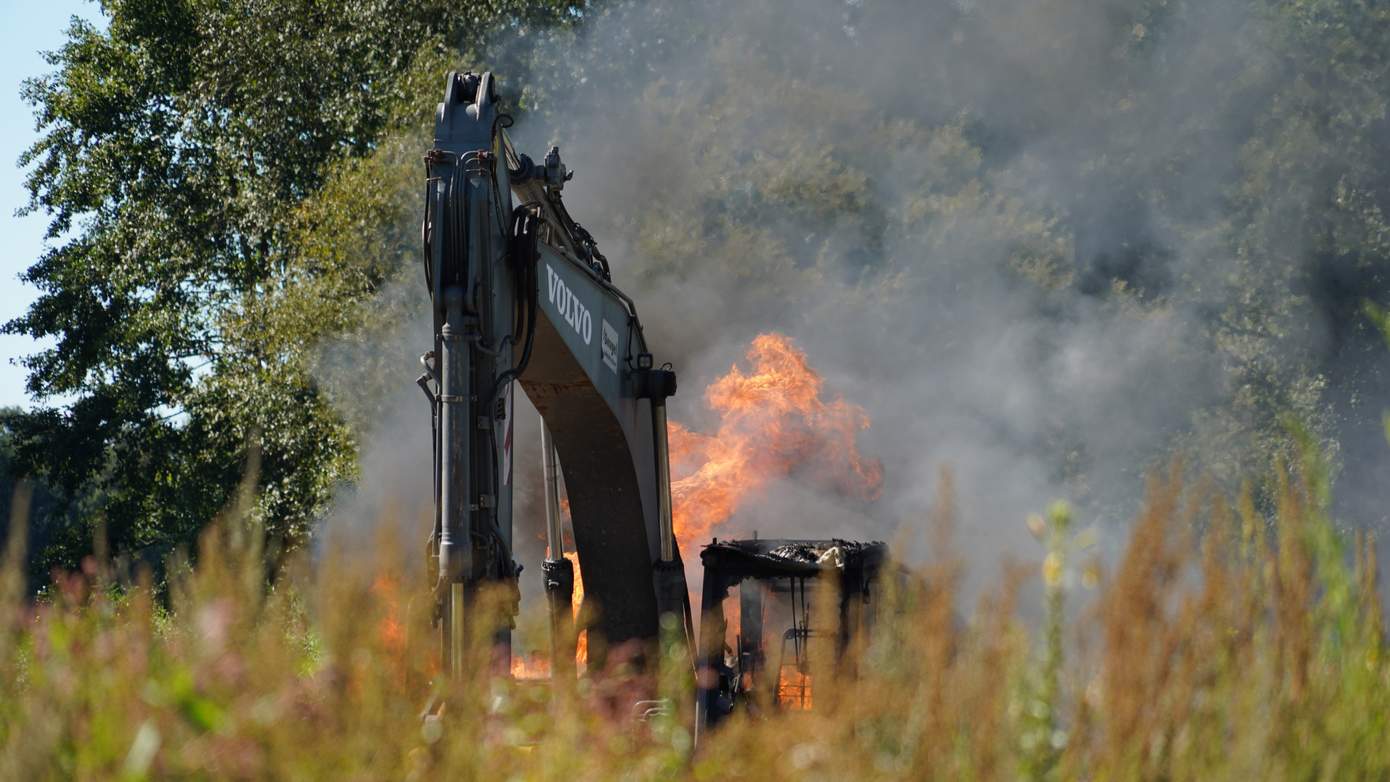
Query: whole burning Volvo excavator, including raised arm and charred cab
[523, 298]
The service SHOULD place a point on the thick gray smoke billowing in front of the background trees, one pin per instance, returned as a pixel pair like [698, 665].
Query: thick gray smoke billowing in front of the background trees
[918, 195]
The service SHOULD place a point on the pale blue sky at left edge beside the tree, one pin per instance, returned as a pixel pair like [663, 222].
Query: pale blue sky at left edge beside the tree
[28, 28]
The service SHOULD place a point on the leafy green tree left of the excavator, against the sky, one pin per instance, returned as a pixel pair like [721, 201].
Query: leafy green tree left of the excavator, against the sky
[176, 148]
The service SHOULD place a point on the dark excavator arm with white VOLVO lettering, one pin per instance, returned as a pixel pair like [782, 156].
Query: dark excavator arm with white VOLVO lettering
[522, 298]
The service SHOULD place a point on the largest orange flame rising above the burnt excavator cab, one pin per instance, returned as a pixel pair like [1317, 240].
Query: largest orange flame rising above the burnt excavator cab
[774, 423]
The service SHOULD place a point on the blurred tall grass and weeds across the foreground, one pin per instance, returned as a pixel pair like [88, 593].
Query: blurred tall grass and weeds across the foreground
[1225, 645]
